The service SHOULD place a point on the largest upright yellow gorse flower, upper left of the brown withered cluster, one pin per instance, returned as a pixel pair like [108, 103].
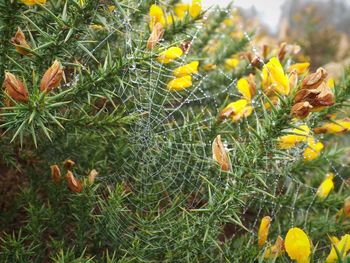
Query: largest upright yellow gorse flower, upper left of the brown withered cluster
[274, 79]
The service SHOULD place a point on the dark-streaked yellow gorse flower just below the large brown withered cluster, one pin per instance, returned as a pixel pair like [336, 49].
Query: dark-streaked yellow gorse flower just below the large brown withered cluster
[297, 135]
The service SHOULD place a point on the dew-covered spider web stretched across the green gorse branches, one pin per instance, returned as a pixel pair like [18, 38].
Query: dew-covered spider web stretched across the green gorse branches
[170, 161]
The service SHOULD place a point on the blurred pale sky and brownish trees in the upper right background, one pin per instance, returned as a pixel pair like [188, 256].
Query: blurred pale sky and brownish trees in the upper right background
[320, 27]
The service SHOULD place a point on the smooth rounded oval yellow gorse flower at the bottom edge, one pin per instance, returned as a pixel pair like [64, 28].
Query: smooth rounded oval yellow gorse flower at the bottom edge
[297, 245]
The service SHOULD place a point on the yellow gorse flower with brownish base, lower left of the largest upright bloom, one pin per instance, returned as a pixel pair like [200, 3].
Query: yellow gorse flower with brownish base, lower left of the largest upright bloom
[236, 110]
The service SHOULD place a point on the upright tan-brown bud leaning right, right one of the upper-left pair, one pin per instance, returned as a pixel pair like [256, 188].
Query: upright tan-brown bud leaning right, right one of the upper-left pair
[52, 77]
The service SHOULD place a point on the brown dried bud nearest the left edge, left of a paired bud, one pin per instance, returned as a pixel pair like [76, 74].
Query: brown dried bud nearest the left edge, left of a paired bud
[15, 88]
